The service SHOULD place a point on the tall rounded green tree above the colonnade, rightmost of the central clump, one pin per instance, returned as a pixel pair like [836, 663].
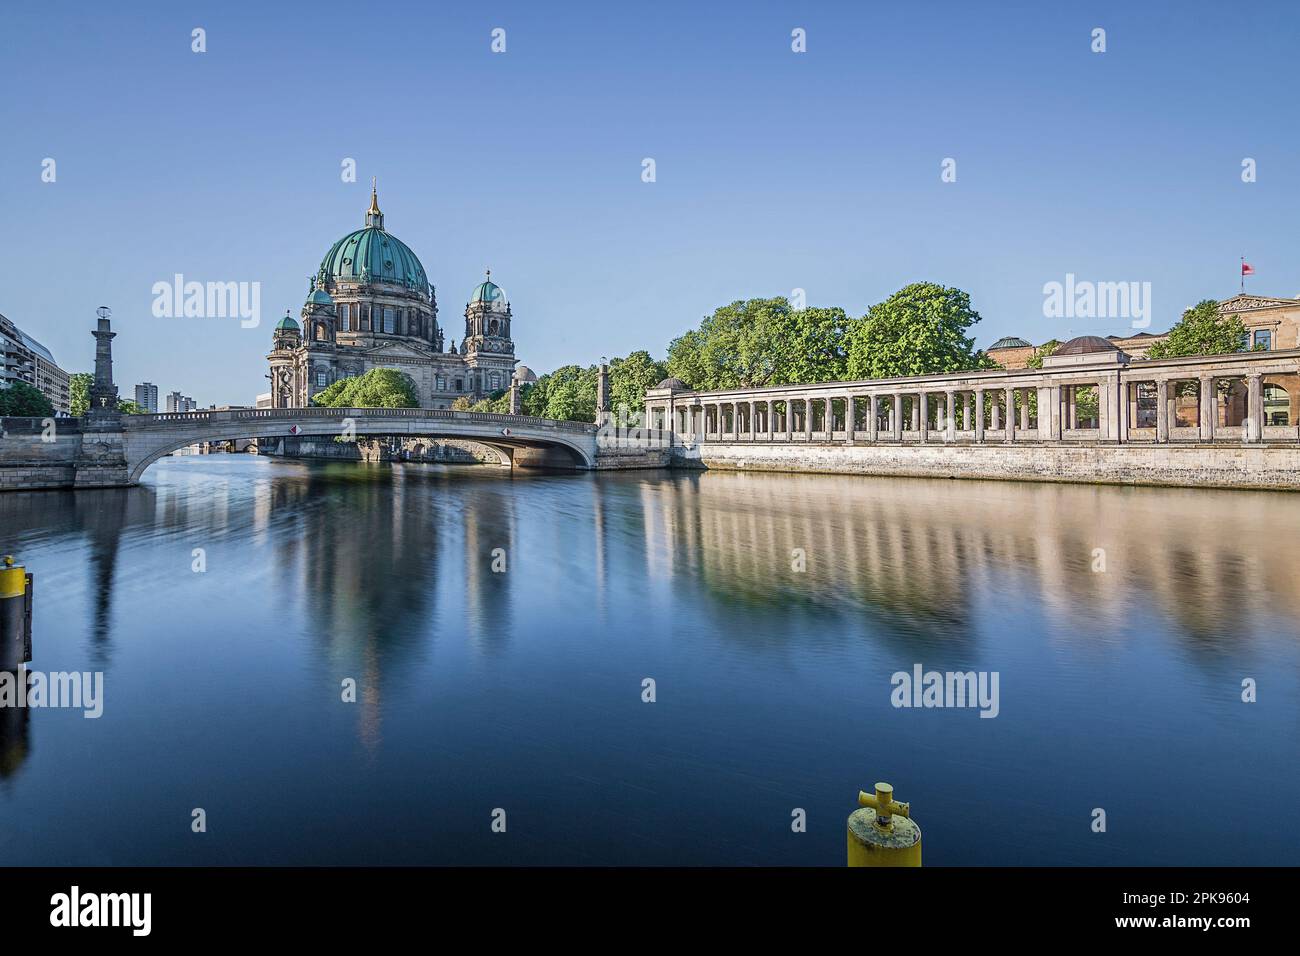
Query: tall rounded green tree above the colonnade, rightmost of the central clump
[921, 330]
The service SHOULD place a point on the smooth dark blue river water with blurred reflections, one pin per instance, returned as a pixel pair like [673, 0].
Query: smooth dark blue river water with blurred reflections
[1119, 690]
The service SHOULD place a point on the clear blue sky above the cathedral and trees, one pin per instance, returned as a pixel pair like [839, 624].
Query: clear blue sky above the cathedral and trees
[775, 171]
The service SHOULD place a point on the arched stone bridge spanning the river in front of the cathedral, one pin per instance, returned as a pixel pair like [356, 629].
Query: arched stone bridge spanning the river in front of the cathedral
[116, 451]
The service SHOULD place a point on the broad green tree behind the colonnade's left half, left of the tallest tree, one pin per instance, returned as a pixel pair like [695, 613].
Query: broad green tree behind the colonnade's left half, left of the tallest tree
[762, 343]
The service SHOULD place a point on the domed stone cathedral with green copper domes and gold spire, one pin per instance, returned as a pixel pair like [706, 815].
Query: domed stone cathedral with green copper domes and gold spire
[372, 306]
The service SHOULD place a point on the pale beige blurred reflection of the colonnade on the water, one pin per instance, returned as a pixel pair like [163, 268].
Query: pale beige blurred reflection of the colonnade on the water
[924, 552]
